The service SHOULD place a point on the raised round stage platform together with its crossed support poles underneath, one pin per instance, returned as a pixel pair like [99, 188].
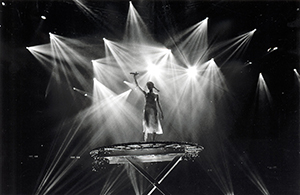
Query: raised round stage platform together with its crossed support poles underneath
[146, 152]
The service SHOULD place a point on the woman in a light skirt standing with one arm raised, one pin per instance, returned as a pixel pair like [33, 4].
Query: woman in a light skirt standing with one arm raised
[151, 123]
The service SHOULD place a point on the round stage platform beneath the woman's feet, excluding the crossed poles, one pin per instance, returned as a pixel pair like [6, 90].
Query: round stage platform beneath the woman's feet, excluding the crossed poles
[145, 152]
